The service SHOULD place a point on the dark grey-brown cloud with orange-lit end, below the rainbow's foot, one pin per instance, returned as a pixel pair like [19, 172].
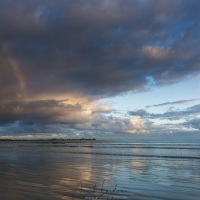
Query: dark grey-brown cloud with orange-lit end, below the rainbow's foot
[40, 112]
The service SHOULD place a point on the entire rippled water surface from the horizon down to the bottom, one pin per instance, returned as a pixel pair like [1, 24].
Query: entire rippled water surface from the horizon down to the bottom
[101, 169]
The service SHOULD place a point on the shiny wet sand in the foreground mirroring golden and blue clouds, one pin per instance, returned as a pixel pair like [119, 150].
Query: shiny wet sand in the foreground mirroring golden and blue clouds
[55, 173]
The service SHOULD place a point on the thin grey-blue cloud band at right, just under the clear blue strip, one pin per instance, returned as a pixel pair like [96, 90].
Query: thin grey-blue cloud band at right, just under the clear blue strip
[187, 113]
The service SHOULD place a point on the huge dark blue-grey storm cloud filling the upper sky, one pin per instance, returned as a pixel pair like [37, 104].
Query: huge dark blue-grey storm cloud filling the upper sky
[98, 48]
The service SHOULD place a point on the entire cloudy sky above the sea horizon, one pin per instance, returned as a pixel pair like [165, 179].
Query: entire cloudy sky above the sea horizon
[109, 68]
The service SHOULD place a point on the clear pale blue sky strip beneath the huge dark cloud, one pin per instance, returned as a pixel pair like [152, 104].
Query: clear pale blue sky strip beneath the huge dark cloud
[185, 90]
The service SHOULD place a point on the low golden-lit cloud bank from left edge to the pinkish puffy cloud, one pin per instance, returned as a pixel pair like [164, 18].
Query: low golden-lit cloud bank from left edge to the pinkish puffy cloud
[55, 116]
